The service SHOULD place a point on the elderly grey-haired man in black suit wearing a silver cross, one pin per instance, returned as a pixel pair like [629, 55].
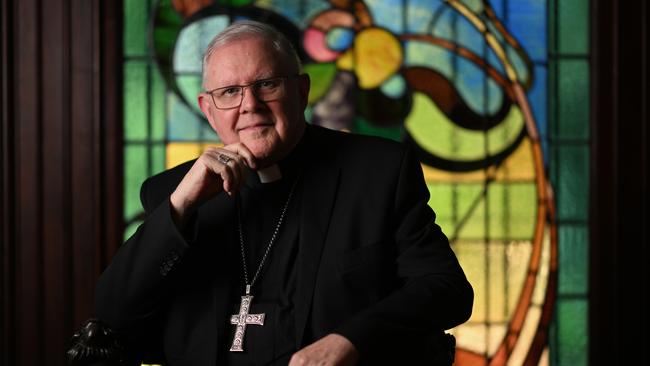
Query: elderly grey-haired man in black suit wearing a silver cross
[291, 244]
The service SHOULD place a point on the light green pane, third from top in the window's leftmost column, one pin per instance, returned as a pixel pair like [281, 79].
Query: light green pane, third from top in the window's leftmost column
[136, 170]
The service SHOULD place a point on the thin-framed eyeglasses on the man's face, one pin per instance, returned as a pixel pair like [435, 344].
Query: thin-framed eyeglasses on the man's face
[265, 90]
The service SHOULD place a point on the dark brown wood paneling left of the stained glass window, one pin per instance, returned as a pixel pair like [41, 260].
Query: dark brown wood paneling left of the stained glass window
[61, 193]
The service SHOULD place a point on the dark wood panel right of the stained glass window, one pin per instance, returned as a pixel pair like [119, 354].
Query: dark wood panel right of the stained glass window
[619, 186]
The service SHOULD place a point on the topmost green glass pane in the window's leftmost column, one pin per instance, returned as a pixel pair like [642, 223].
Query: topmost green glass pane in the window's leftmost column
[136, 13]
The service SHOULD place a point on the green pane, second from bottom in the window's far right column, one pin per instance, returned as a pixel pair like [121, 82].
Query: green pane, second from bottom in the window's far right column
[573, 247]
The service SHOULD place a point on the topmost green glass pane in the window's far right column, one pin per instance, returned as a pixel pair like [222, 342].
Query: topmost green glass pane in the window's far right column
[573, 27]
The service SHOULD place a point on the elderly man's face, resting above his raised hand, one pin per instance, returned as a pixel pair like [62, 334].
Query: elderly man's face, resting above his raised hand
[269, 129]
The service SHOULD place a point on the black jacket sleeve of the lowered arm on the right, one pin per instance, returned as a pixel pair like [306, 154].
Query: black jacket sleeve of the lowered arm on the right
[434, 294]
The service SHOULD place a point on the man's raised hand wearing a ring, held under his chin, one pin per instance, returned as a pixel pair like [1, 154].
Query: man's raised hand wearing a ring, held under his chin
[215, 171]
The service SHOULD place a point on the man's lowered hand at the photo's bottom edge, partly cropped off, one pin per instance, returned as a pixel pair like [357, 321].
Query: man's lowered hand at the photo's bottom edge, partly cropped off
[331, 350]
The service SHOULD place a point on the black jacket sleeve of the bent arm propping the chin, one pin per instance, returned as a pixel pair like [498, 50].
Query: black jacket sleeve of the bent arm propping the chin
[131, 291]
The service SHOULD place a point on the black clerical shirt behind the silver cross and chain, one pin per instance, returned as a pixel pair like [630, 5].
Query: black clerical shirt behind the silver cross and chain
[274, 290]
